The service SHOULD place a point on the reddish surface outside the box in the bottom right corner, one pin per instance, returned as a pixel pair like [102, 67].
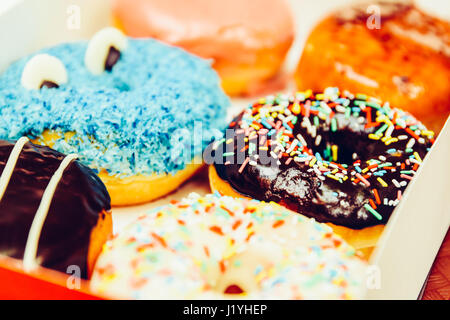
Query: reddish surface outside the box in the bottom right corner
[438, 285]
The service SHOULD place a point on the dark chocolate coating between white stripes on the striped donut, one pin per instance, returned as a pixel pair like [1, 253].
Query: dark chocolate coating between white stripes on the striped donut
[79, 200]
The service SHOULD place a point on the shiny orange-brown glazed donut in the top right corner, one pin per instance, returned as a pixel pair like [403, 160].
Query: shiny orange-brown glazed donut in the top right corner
[405, 59]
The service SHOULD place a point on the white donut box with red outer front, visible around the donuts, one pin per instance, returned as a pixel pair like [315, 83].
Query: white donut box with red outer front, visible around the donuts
[409, 243]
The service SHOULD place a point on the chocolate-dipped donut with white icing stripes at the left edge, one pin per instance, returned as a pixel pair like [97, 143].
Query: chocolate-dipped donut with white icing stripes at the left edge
[54, 211]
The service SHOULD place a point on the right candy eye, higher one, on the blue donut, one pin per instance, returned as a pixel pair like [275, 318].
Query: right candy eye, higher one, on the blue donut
[104, 50]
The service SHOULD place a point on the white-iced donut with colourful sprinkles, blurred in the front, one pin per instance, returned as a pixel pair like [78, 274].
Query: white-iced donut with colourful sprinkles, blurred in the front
[216, 247]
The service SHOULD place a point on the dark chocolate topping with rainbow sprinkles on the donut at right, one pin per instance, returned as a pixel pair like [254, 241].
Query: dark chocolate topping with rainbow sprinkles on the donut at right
[335, 157]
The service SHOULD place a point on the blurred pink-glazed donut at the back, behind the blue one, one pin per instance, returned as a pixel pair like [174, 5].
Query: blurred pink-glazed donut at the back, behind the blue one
[247, 40]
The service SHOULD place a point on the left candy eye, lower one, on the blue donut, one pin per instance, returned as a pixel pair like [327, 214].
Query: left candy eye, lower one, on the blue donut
[43, 70]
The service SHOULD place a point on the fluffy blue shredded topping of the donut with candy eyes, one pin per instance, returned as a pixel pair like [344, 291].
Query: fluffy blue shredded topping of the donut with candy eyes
[130, 121]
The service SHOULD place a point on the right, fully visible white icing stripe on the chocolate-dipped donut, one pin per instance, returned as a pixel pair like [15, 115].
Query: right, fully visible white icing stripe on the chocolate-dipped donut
[29, 257]
